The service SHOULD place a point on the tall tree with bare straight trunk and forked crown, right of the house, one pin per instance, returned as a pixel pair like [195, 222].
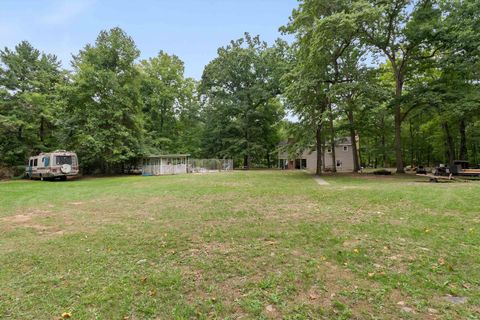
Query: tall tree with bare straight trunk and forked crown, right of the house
[401, 31]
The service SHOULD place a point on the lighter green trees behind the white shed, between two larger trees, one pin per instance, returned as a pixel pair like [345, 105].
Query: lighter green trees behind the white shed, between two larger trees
[171, 107]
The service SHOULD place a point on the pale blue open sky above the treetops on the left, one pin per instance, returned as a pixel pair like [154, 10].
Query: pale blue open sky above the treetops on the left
[190, 29]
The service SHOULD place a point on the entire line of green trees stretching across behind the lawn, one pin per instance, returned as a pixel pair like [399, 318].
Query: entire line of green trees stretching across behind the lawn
[400, 76]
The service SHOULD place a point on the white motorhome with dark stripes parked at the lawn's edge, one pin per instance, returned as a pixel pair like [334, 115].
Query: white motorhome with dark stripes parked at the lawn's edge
[53, 165]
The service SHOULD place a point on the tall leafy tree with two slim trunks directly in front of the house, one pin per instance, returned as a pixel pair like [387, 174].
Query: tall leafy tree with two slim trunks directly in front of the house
[328, 48]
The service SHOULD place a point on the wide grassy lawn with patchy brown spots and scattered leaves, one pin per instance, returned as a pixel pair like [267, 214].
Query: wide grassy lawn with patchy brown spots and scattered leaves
[248, 245]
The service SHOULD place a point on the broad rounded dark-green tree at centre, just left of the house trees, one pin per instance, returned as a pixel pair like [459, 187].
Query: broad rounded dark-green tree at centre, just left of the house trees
[240, 90]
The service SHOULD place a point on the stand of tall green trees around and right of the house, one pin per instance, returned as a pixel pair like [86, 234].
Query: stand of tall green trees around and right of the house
[427, 60]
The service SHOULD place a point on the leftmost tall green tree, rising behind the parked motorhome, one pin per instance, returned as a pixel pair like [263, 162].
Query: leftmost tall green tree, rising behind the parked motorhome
[28, 102]
